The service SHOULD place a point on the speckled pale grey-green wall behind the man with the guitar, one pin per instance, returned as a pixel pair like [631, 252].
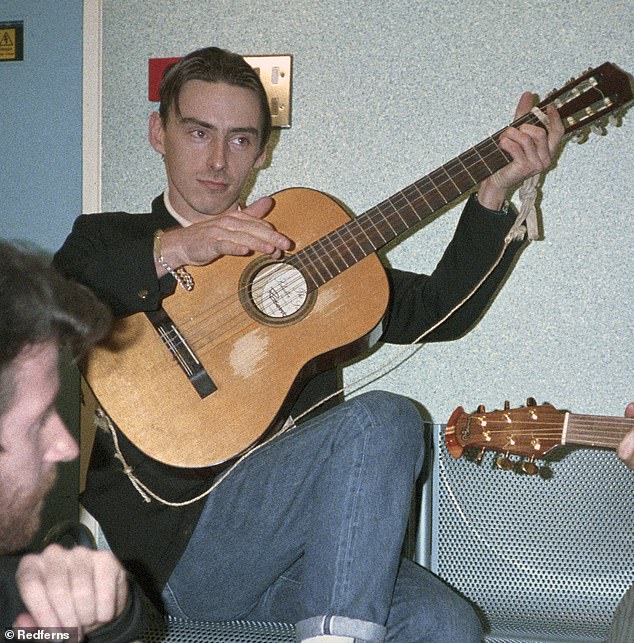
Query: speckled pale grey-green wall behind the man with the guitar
[383, 93]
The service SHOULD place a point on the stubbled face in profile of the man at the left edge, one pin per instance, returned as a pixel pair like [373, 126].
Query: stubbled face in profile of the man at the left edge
[33, 439]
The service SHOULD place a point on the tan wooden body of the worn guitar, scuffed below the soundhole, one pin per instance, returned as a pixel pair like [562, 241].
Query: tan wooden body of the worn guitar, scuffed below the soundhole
[257, 364]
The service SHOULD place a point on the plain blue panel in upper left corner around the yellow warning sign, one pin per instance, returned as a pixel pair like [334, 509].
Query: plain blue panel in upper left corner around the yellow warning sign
[40, 123]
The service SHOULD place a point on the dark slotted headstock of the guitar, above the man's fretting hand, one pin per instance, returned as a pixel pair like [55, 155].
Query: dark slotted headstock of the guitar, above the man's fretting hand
[601, 94]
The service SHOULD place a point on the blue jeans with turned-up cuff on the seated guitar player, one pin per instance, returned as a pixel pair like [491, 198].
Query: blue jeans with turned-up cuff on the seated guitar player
[309, 530]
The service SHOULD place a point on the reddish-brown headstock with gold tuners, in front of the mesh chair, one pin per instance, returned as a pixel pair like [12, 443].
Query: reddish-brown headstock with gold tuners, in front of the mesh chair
[531, 431]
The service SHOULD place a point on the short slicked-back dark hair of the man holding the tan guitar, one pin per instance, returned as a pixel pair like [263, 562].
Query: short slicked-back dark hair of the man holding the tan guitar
[213, 65]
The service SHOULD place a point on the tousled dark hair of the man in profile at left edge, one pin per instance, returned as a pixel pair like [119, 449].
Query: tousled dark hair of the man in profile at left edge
[38, 305]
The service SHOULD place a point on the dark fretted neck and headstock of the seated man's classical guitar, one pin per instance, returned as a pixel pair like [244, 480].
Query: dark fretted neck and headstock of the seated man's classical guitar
[591, 97]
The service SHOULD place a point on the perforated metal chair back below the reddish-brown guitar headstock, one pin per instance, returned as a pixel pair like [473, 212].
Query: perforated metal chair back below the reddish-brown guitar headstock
[544, 557]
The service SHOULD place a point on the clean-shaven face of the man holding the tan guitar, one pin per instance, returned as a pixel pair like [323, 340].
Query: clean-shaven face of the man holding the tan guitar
[210, 148]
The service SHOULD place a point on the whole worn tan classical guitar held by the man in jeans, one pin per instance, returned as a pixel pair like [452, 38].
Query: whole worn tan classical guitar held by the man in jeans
[215, 369]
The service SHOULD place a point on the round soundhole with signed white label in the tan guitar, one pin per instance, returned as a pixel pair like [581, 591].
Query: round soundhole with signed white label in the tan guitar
[275, 293]
